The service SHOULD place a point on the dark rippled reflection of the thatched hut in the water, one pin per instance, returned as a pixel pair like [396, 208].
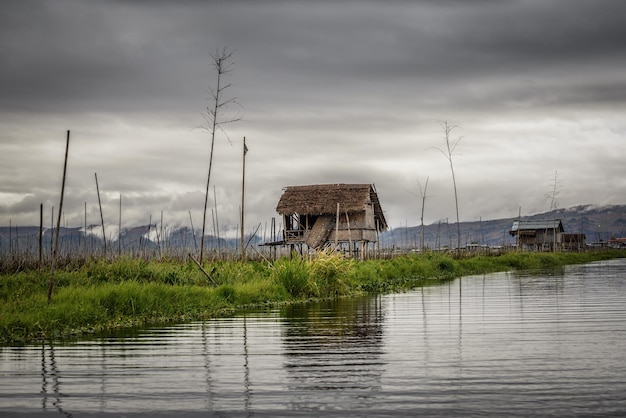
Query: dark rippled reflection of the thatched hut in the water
[333, 353]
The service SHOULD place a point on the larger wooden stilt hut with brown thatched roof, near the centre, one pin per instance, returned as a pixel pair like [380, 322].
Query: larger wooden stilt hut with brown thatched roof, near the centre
[310, 216]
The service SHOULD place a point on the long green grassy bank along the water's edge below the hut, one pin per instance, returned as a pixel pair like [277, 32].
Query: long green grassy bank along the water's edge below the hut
[103, 295]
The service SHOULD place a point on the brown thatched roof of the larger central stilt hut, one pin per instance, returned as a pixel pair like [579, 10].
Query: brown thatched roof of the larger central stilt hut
[322, 199]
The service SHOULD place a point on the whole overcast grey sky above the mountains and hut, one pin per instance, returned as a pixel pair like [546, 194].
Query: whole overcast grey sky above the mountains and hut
[329, 92]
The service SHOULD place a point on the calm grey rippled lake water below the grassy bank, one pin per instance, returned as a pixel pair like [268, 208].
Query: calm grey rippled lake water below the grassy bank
[506, 344]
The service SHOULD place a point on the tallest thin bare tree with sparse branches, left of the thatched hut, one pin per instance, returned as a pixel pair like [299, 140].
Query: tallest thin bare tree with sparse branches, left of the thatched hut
[215, 119]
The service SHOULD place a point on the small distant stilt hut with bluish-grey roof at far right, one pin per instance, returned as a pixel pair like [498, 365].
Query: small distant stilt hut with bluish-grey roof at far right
[538, 234]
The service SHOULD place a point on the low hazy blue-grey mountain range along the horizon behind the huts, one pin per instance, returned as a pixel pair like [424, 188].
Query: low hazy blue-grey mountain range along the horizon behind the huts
[598, 223]
